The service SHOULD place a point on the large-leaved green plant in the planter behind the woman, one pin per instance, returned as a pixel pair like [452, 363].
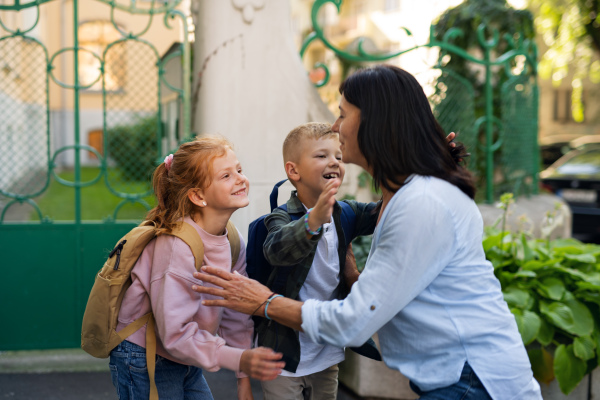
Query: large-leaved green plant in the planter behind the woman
[553, 289]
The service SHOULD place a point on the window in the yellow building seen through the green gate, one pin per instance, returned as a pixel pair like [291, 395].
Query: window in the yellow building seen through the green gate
[95, 36]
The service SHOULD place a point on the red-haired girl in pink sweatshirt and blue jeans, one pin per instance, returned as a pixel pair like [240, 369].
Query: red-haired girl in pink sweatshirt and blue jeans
[201, 184]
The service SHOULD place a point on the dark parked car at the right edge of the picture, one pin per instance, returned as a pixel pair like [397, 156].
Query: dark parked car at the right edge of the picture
[576, 178]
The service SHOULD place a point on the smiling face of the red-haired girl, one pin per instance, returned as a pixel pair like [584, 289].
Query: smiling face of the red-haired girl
[228, 189]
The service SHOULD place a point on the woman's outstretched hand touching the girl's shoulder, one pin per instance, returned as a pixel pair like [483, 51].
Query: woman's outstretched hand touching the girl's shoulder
[239, 293]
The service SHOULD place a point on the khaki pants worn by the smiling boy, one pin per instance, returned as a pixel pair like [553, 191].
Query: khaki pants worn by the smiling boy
[318, 386]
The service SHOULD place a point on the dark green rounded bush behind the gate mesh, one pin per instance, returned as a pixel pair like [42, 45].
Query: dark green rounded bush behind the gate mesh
[133, 147]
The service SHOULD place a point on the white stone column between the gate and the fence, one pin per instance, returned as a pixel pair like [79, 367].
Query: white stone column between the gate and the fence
[253, 89]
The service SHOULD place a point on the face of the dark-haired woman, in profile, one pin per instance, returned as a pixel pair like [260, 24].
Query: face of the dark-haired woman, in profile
[347, 126]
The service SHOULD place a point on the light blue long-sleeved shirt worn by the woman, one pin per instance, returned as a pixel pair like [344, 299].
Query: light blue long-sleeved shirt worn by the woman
[431, 295]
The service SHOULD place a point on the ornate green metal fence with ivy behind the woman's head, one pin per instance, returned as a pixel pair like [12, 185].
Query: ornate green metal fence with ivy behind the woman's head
[502, 136]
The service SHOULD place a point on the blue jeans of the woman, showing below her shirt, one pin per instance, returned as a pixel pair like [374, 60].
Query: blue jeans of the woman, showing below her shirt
[469, 387]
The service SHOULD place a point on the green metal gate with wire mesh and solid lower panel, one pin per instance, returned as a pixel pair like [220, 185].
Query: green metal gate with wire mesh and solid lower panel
[84, 118]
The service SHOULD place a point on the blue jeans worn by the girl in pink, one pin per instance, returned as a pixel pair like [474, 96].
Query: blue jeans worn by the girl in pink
[173, 380]
